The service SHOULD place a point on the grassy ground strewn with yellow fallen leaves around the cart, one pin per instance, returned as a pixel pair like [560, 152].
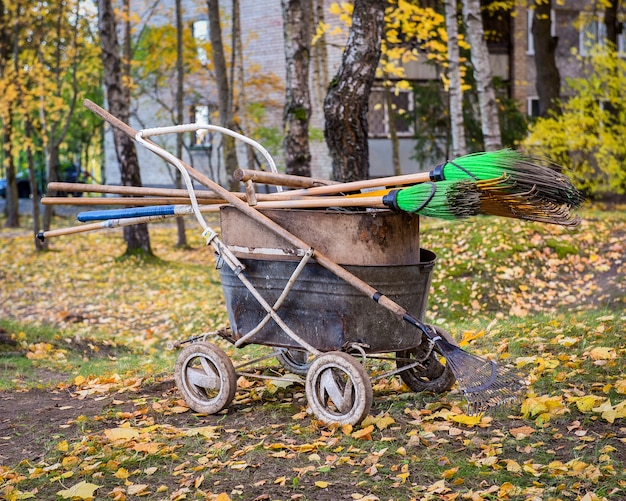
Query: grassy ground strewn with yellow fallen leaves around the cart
[89, 408]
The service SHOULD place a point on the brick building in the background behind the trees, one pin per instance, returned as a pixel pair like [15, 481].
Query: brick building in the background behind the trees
[512, 58]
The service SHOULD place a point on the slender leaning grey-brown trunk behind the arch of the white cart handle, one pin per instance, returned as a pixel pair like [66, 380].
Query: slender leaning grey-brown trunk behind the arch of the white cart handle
[225, 105]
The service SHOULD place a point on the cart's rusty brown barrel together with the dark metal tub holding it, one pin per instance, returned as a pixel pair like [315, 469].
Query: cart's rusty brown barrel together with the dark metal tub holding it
[380, 247]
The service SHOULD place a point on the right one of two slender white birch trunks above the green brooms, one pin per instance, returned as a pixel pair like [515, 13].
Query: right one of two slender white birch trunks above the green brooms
[487, 104]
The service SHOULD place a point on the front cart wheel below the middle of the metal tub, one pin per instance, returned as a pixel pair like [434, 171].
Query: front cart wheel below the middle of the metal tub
[338, 389]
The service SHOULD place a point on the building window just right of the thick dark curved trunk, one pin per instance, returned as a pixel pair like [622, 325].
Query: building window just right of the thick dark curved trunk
[379, 114]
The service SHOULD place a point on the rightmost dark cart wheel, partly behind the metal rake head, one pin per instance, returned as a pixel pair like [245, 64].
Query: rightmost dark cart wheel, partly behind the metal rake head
[435, 377]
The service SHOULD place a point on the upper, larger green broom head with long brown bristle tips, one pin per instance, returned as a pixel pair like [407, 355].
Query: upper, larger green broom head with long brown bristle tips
[525, 174]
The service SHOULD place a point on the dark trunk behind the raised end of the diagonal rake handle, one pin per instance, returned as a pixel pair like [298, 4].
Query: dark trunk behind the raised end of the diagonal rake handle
[118, 96]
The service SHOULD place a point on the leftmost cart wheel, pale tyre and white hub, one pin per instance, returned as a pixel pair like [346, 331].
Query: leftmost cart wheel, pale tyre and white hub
[205, 377]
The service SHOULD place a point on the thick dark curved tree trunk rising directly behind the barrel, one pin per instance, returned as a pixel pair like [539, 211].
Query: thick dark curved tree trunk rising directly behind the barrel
[346, 104]
